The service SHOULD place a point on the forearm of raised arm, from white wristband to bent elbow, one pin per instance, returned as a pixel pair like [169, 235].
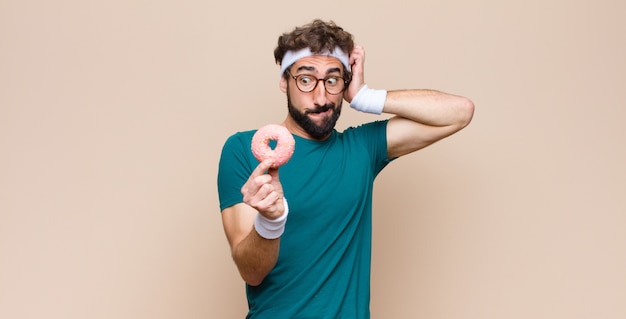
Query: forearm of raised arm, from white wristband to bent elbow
[429, 107]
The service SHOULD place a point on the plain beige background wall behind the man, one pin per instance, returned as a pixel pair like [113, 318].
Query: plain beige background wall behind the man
[113, 113]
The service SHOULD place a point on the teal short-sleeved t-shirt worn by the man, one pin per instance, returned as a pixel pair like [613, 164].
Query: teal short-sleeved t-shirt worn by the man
[323, 267]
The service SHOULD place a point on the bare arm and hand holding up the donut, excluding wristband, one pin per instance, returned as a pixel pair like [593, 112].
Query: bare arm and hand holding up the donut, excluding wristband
[254, 255]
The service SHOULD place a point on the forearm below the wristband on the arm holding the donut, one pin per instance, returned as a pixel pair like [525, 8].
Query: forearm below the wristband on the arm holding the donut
[255, 257]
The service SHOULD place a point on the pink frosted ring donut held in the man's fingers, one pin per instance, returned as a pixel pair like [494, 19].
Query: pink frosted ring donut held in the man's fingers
[285, 144]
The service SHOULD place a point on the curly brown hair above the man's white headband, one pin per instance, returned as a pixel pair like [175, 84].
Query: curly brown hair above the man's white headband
[319, 36]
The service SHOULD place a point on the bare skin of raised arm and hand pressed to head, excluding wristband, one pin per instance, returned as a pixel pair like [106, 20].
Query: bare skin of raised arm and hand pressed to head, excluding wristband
[422, 117]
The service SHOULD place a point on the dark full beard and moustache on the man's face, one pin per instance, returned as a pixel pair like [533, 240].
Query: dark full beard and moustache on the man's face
[316, 131]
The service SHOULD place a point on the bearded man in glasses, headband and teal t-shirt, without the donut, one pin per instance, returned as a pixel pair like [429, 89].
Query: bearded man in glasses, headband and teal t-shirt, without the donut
[301, 239]
